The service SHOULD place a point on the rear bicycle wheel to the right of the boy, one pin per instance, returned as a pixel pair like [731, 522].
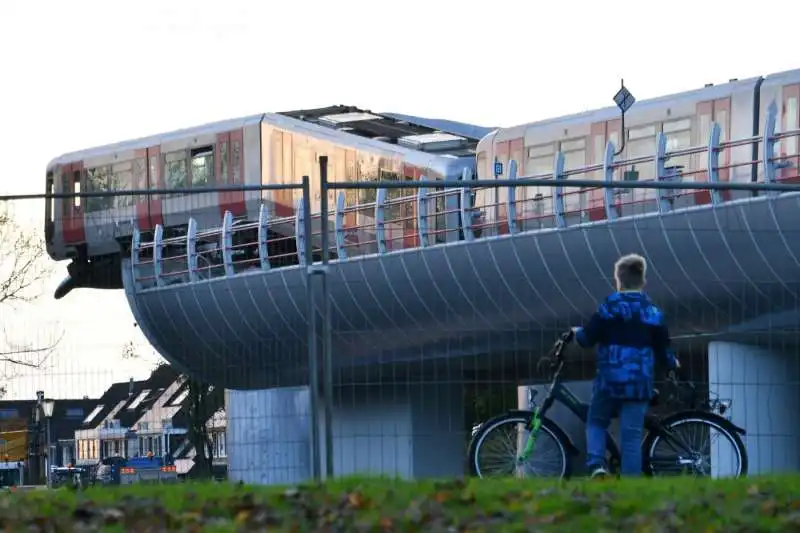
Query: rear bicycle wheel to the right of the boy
[697, 443]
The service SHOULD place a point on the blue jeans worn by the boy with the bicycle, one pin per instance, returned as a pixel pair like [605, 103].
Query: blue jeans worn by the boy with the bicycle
[631, 424]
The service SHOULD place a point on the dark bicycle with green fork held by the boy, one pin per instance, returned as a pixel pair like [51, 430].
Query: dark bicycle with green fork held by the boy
[660, 431]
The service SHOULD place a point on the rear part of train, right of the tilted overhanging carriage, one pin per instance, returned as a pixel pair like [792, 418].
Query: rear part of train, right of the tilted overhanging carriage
[685, 119]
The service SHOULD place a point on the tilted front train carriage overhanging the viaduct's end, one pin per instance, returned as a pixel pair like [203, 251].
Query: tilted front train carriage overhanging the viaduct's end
[94, 232]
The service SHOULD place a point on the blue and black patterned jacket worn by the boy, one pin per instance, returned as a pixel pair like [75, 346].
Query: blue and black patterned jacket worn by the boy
[629, 332]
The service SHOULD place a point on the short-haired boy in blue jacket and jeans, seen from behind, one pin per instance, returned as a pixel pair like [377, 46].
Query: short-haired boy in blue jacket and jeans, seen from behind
[629, 332]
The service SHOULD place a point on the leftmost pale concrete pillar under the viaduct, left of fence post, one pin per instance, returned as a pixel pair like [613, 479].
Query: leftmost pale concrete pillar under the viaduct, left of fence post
[268, 435]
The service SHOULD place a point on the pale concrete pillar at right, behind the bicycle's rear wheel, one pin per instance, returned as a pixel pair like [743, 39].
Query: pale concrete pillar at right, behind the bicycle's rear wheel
[763, 387]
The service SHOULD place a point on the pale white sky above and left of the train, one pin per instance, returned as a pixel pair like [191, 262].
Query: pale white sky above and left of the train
[86, 73]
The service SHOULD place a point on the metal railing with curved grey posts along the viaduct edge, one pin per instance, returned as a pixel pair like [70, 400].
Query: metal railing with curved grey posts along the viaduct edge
[444, 211]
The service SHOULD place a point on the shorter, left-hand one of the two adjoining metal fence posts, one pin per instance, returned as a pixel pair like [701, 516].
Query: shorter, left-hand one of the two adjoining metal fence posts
[303, 226]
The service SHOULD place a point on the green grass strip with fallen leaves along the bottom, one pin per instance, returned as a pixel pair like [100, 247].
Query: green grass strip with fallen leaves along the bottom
[375, 504]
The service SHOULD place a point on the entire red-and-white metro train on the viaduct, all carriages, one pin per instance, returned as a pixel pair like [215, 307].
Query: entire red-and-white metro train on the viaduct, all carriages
[95, 232]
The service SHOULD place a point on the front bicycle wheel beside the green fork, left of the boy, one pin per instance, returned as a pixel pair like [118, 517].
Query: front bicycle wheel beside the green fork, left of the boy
[494, 449]
